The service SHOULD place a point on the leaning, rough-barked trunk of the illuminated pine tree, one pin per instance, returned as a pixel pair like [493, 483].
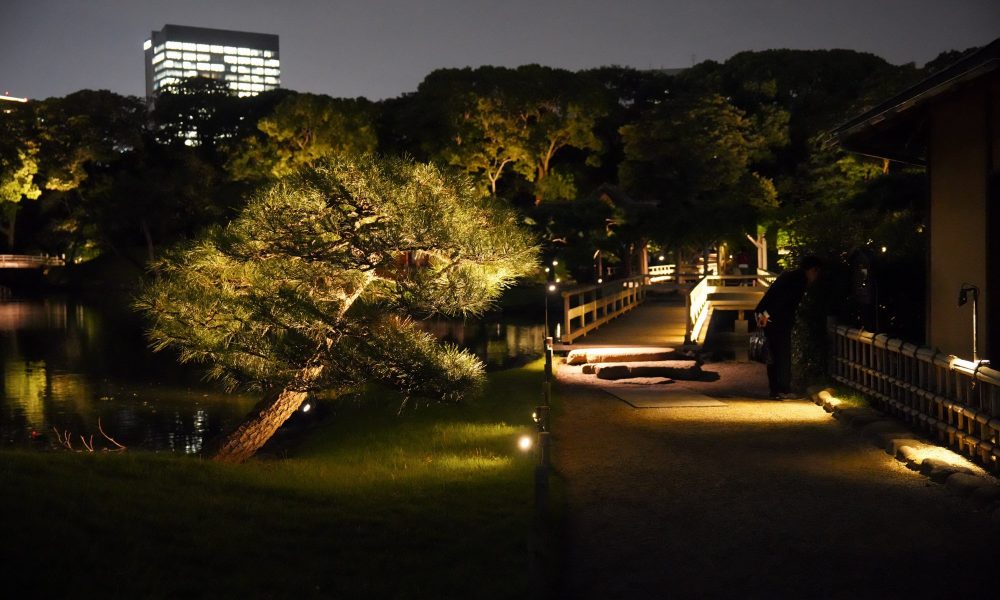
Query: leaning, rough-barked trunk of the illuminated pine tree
[270, 413]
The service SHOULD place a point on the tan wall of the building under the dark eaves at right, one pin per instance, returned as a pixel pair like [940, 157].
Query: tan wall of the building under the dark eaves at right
[960, 147]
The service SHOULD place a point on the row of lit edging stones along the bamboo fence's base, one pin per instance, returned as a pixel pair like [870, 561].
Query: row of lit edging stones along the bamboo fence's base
[960, 475]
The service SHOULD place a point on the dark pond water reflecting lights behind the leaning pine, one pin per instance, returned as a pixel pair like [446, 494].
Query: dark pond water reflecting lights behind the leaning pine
[78, 366]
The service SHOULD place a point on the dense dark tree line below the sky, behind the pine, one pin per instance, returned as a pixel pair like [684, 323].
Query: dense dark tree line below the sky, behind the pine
[689, 159]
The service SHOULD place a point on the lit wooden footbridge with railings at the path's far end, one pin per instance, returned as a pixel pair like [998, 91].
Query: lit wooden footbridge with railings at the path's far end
[679, 312]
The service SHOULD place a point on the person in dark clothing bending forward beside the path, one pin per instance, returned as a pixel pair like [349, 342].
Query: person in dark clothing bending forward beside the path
[776, 314]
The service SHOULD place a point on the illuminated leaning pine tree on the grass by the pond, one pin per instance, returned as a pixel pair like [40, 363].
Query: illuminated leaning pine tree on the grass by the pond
[310, 287]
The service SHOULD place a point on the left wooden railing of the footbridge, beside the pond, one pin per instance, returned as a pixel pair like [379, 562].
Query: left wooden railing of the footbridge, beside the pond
[586, 308]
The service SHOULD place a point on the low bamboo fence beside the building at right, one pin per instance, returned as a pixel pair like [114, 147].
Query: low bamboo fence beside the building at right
[954, 400]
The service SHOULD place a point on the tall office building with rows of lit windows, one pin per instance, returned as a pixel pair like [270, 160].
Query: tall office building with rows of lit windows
[247, 62]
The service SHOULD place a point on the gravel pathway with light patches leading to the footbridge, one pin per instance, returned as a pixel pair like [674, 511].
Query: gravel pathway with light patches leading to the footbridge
[751, 499]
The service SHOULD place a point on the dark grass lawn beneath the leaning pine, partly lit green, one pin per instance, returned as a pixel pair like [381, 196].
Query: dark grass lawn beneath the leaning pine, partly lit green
[432, 504]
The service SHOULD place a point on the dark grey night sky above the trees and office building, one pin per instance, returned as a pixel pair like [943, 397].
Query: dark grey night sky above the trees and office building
[381, 48]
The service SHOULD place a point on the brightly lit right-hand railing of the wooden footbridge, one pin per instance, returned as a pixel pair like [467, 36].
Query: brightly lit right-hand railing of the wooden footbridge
[727, 292]
